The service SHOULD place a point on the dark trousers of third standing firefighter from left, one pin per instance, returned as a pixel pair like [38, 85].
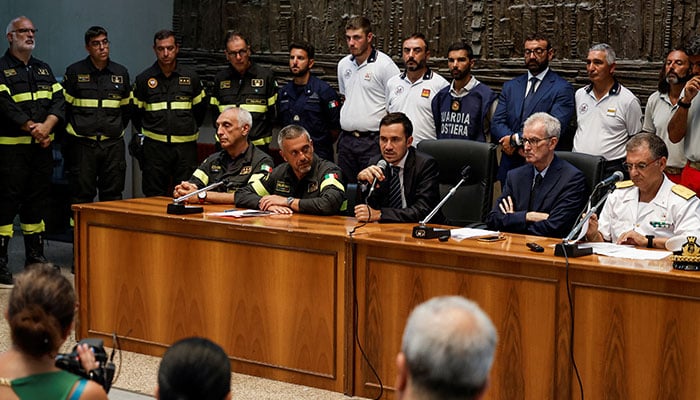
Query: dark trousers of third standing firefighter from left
[166, 165]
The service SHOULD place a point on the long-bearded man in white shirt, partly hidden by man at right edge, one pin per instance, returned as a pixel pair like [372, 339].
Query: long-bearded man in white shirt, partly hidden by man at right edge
[659, 108]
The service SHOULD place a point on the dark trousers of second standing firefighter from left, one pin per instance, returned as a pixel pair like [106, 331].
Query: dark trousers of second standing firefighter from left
[94, 166]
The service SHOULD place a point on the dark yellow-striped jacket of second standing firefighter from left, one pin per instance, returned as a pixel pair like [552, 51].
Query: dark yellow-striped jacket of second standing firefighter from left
[97, 101]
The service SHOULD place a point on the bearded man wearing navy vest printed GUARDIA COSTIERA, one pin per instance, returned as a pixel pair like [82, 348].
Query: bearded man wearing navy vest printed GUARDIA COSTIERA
[463, 109]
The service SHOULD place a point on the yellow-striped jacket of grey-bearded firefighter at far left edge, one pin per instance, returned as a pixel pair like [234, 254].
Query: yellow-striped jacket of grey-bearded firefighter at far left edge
[27, 92]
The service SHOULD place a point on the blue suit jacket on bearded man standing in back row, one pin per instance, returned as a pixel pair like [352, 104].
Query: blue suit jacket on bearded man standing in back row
[555, 96]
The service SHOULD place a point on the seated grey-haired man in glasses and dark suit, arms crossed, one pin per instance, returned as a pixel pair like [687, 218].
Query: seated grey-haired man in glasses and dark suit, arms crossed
[545, 196]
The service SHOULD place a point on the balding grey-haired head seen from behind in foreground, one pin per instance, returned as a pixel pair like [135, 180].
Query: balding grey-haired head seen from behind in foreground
[447, 351]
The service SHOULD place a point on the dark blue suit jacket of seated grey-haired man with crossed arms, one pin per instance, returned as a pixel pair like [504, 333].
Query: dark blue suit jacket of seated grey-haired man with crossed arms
[562, 194]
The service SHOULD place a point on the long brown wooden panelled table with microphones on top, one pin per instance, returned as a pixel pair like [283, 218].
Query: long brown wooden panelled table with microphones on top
[277, 293]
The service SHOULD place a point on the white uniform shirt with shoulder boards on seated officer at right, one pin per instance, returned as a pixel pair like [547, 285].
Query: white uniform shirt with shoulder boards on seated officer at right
[667, 215]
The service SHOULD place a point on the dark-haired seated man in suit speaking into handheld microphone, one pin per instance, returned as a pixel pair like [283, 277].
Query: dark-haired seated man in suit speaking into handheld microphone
[409, 190]
